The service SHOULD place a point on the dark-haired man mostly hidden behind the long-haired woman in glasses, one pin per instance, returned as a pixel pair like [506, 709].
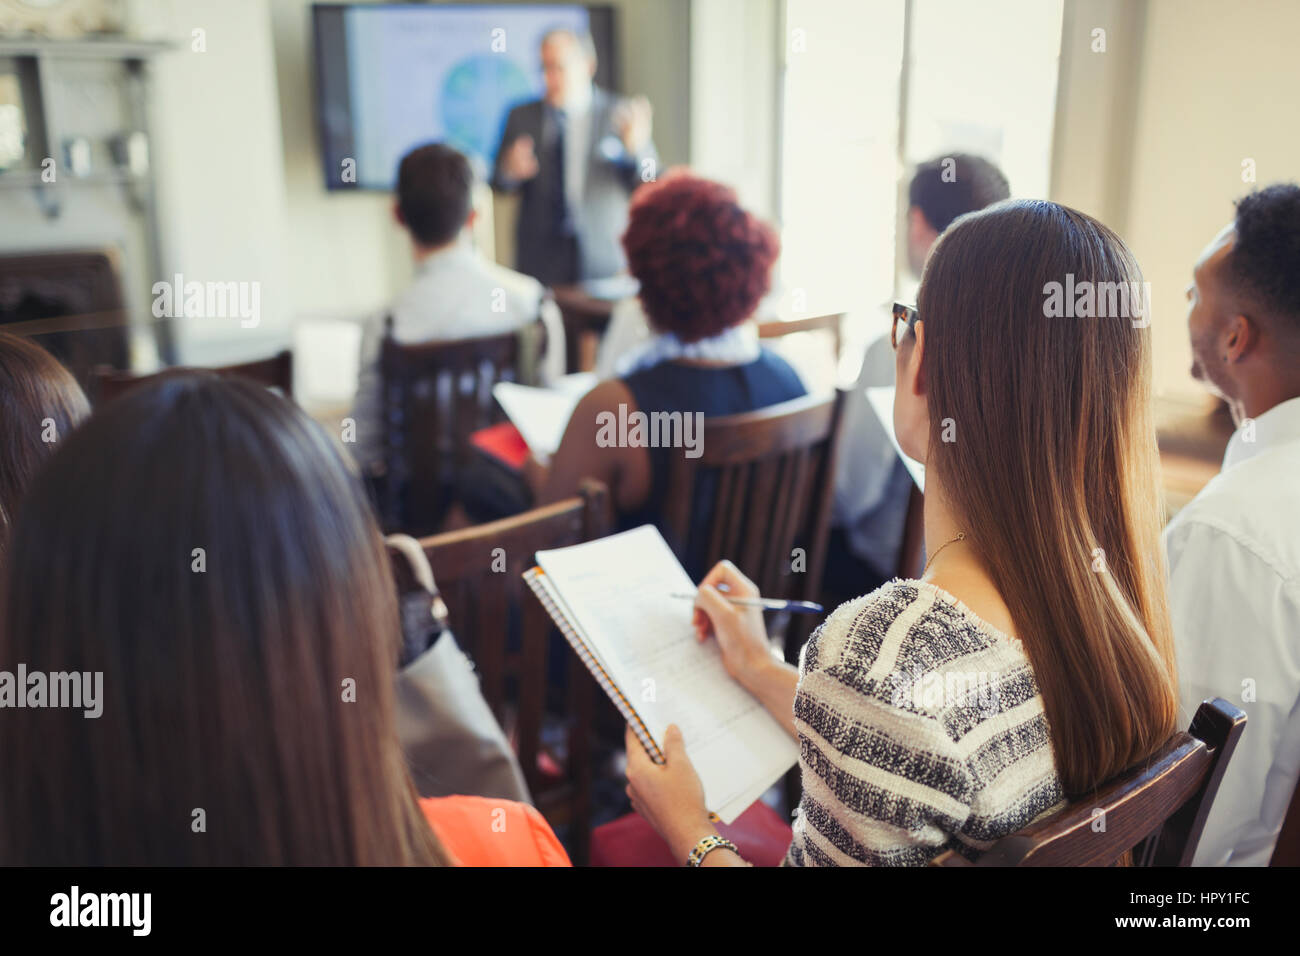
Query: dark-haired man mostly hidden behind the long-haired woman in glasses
[872, 483]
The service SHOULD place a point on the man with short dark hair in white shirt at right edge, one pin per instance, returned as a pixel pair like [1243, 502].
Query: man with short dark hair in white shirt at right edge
[1234, 552]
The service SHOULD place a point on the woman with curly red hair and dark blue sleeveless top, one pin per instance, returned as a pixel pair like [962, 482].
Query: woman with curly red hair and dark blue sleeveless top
[704, 265]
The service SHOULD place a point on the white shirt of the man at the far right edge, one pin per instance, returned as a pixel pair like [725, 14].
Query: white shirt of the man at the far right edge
[1234, 556]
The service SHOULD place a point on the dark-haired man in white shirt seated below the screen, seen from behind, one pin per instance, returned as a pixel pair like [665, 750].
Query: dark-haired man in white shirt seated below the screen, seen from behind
[456, 295]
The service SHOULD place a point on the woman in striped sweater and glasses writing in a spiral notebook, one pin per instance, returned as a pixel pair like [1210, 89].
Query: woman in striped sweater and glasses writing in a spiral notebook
[1034, 660]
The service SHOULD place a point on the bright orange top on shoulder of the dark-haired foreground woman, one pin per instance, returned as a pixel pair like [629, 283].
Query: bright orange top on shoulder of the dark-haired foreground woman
[487, 832]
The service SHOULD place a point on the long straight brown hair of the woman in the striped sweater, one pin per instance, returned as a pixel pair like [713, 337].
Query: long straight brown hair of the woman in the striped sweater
[1055, 469]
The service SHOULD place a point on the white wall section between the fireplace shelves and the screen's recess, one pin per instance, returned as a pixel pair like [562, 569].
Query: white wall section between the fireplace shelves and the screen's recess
[218, 155]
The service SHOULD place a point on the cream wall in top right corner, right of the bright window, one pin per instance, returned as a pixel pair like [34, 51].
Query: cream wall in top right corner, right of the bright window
[1151, 135]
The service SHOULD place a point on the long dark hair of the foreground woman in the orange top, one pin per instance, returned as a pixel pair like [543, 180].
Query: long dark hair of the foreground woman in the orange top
[202, 546]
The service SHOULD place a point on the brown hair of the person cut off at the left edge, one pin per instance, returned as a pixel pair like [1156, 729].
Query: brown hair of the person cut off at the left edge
[41, 404]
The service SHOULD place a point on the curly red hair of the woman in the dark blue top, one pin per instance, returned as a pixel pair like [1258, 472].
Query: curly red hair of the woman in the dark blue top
[703, 261]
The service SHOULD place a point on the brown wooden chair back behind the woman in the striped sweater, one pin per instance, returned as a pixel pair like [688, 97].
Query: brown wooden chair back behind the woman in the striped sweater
[1158, 810]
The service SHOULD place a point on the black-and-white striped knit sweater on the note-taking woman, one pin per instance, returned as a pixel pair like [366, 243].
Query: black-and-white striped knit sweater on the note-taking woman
[921, 730]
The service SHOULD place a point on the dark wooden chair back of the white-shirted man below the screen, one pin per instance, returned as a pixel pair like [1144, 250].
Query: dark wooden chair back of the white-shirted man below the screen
[435, 396]
